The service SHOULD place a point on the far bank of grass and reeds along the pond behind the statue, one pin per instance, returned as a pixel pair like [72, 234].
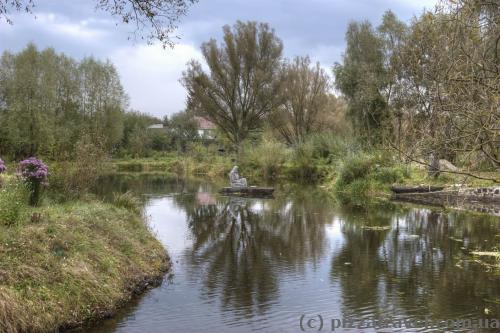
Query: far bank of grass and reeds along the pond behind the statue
[348, 171]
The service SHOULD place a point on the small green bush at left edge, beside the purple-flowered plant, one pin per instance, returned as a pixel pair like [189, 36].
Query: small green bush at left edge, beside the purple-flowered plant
[13, 197]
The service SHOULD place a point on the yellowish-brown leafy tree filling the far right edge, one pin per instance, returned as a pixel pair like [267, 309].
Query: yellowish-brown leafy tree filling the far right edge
[452, 69]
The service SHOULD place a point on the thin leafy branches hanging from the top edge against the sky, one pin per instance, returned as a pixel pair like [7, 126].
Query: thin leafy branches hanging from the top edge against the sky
[152, 19]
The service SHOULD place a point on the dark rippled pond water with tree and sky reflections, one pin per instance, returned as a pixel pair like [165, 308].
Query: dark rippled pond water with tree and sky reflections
[300, 260]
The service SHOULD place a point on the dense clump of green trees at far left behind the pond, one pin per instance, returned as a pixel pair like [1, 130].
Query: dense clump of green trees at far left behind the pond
[49, 101]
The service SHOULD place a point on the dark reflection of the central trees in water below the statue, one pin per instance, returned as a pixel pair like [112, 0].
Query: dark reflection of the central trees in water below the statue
[244, 246]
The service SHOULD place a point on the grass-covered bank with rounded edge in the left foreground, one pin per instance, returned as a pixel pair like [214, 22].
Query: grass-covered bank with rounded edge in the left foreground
[64, 264]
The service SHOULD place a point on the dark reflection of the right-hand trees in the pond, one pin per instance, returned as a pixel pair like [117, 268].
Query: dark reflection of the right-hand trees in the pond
[412, 269]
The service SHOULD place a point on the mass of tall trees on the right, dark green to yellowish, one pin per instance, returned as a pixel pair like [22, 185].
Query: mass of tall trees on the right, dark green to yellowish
[428, 88]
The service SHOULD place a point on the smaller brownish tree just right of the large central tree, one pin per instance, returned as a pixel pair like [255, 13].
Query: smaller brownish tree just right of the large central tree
[306, 98]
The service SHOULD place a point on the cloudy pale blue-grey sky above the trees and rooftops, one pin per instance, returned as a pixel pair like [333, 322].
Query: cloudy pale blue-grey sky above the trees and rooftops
[150, 74]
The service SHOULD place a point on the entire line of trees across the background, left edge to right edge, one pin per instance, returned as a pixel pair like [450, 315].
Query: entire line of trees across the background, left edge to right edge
[426, 90]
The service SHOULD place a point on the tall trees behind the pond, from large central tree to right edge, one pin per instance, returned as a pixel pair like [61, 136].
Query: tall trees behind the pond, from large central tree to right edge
[428, 89]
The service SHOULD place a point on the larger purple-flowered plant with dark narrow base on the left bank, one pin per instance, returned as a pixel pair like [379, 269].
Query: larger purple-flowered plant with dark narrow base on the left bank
[34, 173]
